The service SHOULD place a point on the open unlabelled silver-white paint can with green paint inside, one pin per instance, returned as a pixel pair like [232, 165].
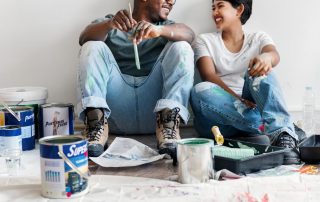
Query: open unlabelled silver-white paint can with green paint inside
[195, 160]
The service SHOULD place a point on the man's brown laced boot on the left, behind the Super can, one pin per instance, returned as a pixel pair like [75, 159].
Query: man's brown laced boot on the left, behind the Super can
[96, 132]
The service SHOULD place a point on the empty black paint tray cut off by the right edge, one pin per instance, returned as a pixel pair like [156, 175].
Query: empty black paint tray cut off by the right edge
[310, 149]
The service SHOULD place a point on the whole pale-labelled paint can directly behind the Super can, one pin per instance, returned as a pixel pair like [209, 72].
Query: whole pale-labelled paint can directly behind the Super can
[56, 119]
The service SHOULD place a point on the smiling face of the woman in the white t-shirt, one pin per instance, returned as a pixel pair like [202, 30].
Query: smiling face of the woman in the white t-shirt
[223, 14]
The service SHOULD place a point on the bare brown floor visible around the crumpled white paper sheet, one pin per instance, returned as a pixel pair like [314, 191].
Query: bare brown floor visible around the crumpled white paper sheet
[162, 169]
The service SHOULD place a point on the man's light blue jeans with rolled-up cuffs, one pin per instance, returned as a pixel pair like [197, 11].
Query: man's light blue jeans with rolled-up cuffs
[133, 100]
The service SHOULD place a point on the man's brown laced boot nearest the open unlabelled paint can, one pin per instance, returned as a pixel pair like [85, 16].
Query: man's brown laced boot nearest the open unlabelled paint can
[167, 131]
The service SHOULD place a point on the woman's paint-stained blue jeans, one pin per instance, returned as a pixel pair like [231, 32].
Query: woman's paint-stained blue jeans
[212, 105]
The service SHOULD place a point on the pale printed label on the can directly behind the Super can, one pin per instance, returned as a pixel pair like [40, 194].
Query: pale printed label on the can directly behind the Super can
[55, 121]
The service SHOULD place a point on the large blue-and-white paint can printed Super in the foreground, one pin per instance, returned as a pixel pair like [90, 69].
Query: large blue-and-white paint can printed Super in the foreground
[64, 166]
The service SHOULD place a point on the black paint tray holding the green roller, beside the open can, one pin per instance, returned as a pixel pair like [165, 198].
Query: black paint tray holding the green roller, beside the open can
[265, 157]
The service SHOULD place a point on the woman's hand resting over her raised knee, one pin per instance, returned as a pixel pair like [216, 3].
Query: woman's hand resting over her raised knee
[260, 65]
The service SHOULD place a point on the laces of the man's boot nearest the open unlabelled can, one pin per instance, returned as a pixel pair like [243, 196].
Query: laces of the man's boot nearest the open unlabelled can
[170, 132]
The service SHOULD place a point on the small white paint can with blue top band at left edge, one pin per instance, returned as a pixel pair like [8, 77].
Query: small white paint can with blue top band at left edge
[10, 137]
